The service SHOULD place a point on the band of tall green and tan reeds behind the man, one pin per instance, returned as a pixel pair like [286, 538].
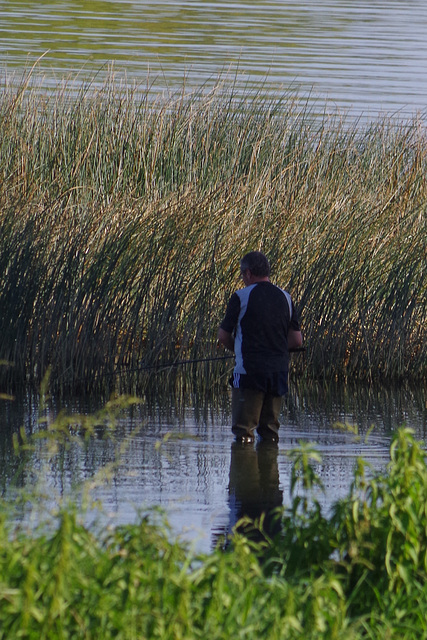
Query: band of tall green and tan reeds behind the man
[122, 223]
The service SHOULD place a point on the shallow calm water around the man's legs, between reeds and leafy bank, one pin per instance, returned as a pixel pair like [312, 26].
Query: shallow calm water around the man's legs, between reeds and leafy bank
[184, 460]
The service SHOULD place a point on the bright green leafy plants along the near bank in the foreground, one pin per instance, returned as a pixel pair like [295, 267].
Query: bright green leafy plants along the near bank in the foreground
[358, 573]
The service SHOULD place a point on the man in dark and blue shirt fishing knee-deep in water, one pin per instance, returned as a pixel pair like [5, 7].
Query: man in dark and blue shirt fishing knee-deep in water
[260, 325]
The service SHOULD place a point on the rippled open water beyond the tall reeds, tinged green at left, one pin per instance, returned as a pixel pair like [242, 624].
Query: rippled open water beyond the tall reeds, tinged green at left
[364, 57]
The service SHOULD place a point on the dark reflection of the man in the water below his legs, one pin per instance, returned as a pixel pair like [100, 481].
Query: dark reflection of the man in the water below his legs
[254, 488]
